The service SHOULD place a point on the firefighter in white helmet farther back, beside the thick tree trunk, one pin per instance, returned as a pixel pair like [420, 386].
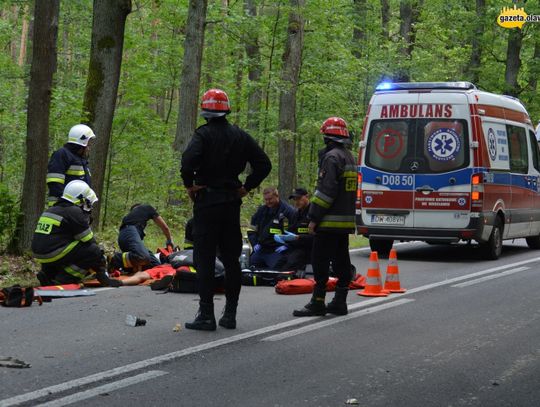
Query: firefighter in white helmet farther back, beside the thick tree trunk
[70, 162]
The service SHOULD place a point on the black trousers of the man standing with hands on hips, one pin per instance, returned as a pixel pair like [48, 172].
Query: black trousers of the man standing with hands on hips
[216, 224]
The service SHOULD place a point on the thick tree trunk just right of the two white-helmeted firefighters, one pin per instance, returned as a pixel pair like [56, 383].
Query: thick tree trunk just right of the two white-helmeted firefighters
[108, 26]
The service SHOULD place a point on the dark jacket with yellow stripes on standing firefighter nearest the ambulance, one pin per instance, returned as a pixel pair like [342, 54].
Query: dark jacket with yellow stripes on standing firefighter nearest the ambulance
[333, 203]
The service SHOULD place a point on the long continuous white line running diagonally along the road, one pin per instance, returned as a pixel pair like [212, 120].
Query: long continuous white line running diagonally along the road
[22, 398]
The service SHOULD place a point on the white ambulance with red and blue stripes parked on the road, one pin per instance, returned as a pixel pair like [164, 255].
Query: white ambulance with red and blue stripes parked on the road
[443, 162]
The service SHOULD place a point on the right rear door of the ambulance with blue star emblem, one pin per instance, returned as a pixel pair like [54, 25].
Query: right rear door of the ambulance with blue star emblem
[442, 178]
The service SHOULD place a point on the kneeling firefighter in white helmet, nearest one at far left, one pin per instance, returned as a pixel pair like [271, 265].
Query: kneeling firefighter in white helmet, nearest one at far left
[64, 243]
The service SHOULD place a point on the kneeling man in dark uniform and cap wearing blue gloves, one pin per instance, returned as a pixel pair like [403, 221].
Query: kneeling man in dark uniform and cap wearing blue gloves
[297, 237]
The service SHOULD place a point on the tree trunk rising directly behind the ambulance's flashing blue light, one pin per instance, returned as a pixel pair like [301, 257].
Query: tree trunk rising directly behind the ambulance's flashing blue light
[408, 12]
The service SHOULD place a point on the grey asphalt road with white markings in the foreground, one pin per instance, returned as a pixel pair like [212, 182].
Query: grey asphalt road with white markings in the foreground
[464, 334]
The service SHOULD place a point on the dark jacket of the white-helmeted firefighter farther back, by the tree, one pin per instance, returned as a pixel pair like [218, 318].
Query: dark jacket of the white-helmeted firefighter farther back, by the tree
[66, 165]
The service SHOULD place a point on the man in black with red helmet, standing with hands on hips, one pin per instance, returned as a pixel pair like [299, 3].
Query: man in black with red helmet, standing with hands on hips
[214, 158]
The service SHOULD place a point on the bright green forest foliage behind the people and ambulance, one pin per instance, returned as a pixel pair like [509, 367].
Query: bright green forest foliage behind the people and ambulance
[142, 166]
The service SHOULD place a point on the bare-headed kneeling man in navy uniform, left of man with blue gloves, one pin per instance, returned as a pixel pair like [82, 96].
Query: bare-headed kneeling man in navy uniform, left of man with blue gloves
[269, 220]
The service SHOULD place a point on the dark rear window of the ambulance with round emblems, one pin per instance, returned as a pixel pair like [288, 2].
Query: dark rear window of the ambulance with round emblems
[418, 145]
